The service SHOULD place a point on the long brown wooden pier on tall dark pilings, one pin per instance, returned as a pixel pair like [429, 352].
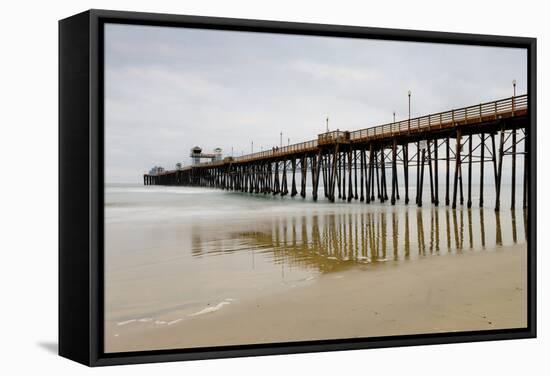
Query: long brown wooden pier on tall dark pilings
[361, 164]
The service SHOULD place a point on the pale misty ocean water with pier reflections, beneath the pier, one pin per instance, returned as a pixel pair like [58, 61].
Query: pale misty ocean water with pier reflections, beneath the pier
[174, 250]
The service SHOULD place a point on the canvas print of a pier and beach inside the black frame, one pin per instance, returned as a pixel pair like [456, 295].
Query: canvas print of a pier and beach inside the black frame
[269, 188]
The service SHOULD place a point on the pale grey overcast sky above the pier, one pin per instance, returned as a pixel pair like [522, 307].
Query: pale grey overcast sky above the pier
[169, 89]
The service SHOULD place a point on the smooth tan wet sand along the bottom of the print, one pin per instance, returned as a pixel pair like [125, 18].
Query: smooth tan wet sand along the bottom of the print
[452, 292]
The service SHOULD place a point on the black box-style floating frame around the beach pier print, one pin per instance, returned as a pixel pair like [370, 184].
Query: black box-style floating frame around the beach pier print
[81, 186]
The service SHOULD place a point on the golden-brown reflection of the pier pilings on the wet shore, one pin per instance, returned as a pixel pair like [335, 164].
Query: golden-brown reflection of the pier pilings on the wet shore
[332, 242]
